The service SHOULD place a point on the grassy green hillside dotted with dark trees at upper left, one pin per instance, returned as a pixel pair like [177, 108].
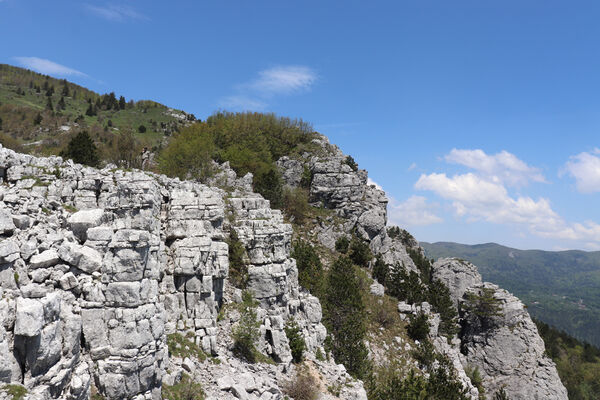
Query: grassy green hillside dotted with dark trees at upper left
[20, 104]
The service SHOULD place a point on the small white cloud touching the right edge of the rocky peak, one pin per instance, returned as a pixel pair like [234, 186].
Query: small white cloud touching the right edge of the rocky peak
[415, 211]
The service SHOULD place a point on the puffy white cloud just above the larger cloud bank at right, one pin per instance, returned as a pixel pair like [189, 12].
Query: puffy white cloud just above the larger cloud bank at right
[503, 166]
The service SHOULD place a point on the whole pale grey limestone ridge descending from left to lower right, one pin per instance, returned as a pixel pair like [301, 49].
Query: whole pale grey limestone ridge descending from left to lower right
[98, 267]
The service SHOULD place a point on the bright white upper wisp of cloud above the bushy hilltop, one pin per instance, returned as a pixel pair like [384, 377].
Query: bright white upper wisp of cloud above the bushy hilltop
[284, 80]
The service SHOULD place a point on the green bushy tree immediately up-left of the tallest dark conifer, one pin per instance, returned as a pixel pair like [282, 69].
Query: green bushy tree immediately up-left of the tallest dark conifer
[310, 269]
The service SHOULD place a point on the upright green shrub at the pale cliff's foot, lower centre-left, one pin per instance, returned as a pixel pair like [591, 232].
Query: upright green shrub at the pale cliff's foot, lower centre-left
[246, 333]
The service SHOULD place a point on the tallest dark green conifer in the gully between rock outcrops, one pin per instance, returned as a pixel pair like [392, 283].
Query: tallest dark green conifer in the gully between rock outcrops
[345, 317]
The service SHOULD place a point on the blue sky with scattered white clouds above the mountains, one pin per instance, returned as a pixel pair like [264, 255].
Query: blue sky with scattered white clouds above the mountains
[480, 119]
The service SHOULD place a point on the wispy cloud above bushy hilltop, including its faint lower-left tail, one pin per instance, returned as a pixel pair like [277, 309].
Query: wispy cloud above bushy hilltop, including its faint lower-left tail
[271, 82]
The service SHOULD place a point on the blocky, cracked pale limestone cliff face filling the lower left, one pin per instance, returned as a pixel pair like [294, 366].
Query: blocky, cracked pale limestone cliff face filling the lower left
[97, 266]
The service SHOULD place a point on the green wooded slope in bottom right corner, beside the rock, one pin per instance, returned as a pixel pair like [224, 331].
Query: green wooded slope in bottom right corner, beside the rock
[577, 363]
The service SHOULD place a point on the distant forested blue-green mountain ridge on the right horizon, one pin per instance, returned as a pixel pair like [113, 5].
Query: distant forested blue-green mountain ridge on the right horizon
[561, 288]
